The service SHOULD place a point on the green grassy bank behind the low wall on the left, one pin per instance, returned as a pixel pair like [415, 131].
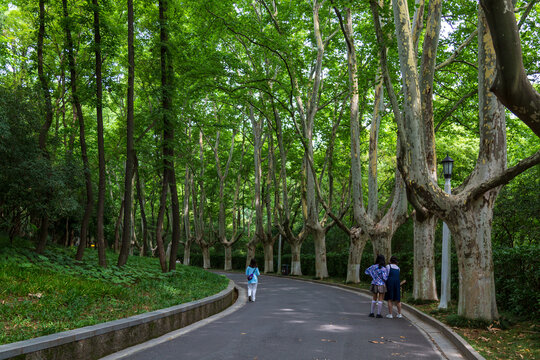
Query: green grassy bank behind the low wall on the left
[45, 294]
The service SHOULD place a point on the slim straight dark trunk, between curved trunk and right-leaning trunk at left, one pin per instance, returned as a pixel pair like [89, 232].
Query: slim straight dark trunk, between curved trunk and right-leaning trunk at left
[101, 145]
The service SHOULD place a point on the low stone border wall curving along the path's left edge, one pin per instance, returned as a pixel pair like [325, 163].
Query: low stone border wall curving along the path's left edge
[96, 341]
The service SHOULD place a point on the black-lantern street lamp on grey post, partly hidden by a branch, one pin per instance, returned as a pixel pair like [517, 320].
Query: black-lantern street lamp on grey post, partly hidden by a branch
[448, 164]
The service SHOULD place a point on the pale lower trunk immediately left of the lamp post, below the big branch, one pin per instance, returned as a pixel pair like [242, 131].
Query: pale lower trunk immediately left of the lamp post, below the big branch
[424, 285]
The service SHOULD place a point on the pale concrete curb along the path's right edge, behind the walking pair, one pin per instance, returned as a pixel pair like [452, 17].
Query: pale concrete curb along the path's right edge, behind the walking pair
[465, 349]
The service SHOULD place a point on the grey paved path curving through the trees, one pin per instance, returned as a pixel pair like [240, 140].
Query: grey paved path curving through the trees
[293, 320]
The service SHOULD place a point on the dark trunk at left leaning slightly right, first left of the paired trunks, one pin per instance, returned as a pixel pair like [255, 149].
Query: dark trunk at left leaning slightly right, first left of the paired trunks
[128, 187]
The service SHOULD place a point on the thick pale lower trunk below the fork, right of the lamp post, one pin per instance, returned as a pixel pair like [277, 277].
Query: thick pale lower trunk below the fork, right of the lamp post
[472, 234]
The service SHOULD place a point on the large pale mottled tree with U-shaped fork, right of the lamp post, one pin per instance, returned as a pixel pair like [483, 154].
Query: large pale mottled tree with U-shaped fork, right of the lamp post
[468, 211]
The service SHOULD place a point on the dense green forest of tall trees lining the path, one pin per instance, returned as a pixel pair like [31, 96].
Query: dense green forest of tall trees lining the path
[192, 131]
